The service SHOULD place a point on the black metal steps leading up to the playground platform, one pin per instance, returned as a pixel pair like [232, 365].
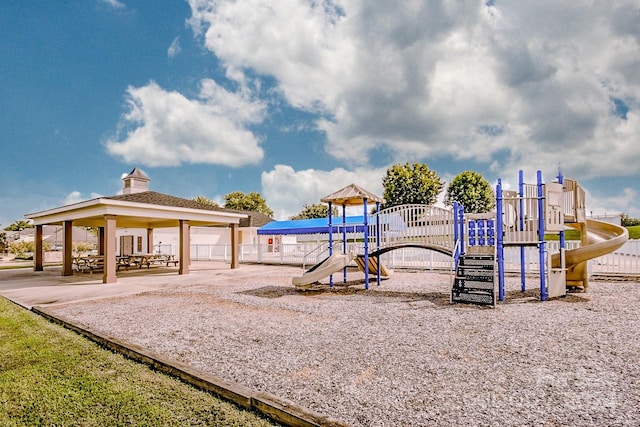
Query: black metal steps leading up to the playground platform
[474, 281]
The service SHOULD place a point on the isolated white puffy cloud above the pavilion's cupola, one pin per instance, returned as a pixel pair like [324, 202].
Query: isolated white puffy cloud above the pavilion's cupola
[164, 128]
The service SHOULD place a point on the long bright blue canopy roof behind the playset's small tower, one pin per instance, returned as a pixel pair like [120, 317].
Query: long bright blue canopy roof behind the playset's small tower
[312, 226]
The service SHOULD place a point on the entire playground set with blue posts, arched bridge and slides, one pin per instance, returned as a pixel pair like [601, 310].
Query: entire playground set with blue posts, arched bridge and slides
[475, 242]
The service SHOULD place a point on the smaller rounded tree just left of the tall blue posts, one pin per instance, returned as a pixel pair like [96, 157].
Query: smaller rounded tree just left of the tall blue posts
[472, 191]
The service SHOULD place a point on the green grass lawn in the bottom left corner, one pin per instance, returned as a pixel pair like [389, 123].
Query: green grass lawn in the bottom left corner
[50, 376]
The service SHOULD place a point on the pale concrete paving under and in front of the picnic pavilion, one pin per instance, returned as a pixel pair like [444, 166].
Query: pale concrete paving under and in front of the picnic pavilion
[30, 288]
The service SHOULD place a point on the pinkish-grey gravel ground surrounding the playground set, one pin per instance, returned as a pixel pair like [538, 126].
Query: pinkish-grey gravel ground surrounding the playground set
[398, 354]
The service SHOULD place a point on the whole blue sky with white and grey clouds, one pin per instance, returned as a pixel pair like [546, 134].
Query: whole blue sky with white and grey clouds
[296, 99]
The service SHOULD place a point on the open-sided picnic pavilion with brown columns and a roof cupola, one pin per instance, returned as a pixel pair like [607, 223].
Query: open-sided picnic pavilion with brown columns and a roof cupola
[137, 207]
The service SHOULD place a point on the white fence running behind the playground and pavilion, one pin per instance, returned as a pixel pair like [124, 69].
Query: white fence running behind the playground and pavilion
[624, 261]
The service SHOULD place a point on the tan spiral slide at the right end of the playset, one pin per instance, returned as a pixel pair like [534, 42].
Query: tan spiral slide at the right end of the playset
[598, 238]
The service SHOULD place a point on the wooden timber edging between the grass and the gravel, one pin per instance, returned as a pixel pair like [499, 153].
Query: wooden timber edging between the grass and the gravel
[271, 406]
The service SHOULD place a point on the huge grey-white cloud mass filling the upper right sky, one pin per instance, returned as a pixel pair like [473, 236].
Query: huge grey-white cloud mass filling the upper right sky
[511, 84]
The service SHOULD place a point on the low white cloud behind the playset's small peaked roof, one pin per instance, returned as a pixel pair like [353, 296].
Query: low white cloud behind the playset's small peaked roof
[286, 190]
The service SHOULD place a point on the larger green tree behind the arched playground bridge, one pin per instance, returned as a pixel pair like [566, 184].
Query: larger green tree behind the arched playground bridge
[411, 184]
